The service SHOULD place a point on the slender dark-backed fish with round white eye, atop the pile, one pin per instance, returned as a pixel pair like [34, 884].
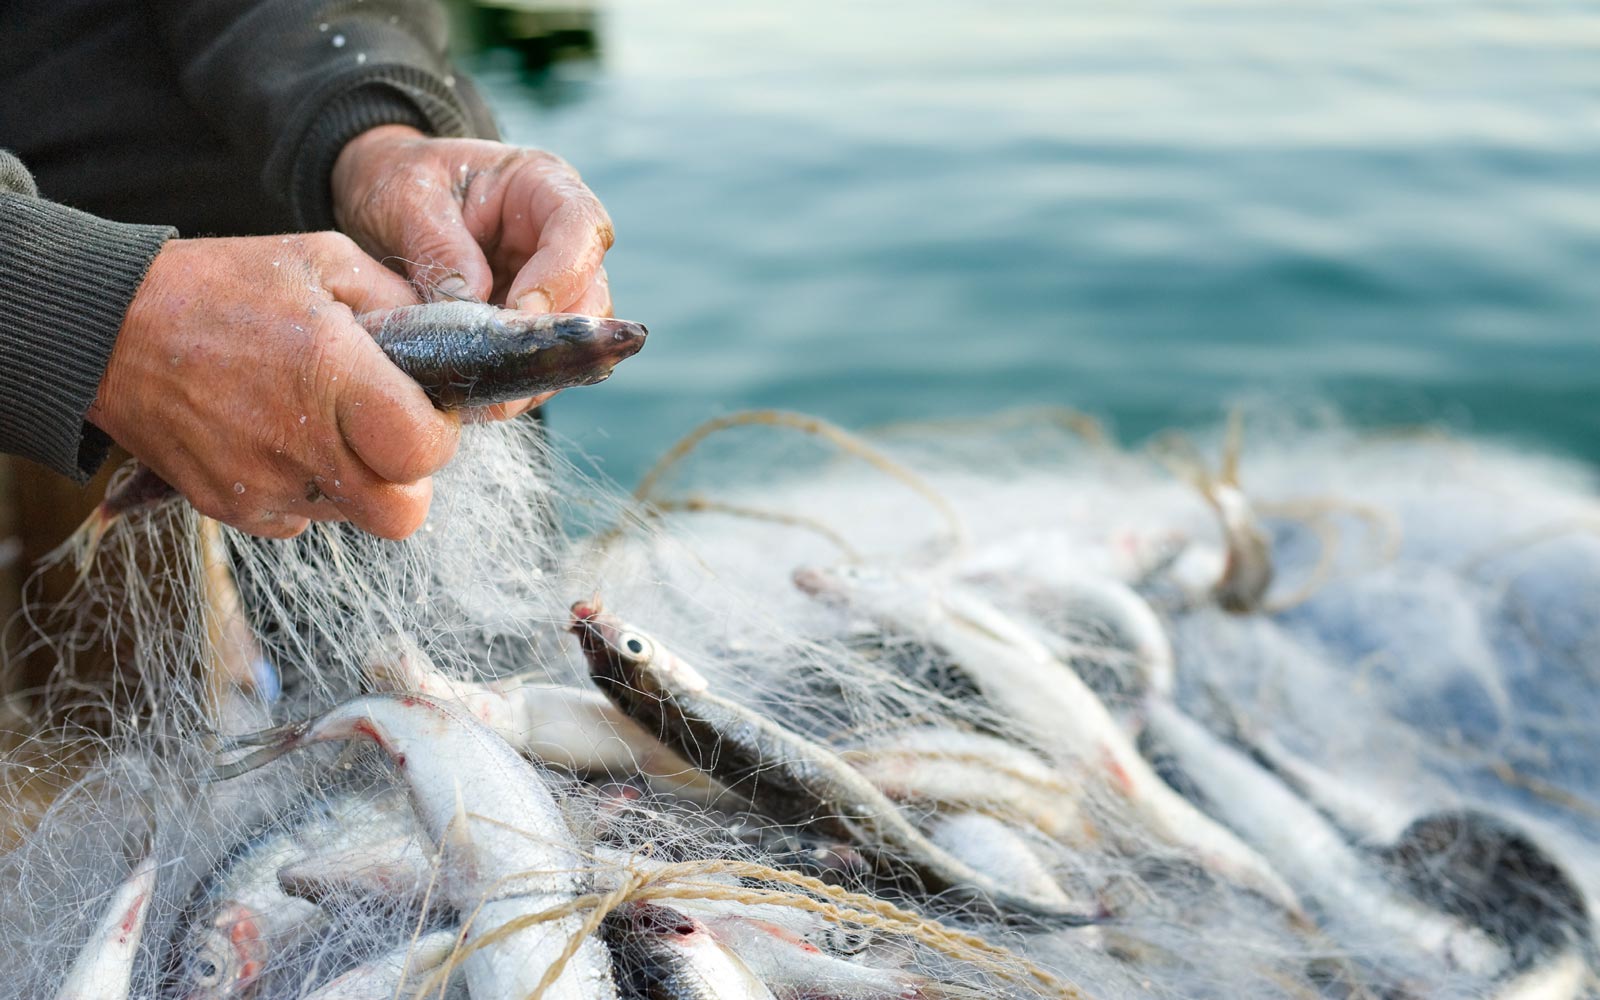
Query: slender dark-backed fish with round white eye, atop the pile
[783, 774]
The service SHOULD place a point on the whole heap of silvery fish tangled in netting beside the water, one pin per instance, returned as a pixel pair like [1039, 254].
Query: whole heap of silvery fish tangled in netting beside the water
[1129, 737]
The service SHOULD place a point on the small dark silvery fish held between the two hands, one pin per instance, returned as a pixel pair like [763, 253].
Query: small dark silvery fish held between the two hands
[474, 354]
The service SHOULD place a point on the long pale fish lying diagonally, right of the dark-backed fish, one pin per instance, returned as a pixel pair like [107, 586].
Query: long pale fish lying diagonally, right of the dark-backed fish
[1052, 706]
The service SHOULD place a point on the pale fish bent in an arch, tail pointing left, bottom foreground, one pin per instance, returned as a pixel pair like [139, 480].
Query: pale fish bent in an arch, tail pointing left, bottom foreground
[505, 846]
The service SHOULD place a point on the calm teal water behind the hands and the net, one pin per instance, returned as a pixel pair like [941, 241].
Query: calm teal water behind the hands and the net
[878, 212]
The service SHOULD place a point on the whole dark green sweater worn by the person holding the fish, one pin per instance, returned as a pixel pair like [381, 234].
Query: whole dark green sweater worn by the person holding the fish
[138, 121]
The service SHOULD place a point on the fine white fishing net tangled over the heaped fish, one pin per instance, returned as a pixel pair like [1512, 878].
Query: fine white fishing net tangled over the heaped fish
[1385, 767]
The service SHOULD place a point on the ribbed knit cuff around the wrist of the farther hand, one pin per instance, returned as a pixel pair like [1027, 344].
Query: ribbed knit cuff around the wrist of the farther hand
[382, 95]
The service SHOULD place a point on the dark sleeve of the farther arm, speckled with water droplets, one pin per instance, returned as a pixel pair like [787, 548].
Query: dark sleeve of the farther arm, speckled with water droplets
[290, 82]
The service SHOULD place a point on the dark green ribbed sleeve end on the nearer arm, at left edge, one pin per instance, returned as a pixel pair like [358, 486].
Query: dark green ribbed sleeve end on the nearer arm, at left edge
[66, 279]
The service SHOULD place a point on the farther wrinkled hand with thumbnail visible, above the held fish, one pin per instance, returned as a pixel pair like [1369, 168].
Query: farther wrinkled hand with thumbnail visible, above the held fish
[478, 220]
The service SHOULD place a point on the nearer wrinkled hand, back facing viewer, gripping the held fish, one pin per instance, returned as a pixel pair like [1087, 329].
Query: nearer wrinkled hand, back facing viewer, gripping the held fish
[242, 378]
